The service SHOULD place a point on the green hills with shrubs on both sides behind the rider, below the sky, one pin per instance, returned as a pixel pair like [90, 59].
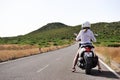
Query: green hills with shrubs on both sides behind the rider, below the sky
[60, 34]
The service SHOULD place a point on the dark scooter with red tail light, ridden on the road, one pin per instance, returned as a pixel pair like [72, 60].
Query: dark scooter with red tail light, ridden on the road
[89, 60]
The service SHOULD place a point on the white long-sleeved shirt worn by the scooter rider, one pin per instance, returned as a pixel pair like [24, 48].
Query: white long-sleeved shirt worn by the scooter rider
[86, 37]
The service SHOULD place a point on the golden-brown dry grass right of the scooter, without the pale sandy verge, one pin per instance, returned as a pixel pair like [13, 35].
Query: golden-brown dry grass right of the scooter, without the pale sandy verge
[110, 53]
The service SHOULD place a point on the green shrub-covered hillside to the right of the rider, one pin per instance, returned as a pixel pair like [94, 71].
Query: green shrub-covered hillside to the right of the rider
[109, 33]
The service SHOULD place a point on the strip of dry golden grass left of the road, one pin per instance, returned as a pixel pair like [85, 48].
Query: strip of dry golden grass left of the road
[13, 51]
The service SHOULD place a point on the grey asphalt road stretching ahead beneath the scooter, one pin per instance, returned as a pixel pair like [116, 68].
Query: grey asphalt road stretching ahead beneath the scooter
[54, 65]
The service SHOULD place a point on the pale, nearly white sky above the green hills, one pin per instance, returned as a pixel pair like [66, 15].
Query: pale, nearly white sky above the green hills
[19, 17]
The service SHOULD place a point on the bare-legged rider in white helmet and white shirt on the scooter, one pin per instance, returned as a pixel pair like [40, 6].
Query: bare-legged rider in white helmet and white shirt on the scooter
[85, 36]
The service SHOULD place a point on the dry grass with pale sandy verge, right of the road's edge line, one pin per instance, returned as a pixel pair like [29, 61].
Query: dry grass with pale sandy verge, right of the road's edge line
[110, 55]
